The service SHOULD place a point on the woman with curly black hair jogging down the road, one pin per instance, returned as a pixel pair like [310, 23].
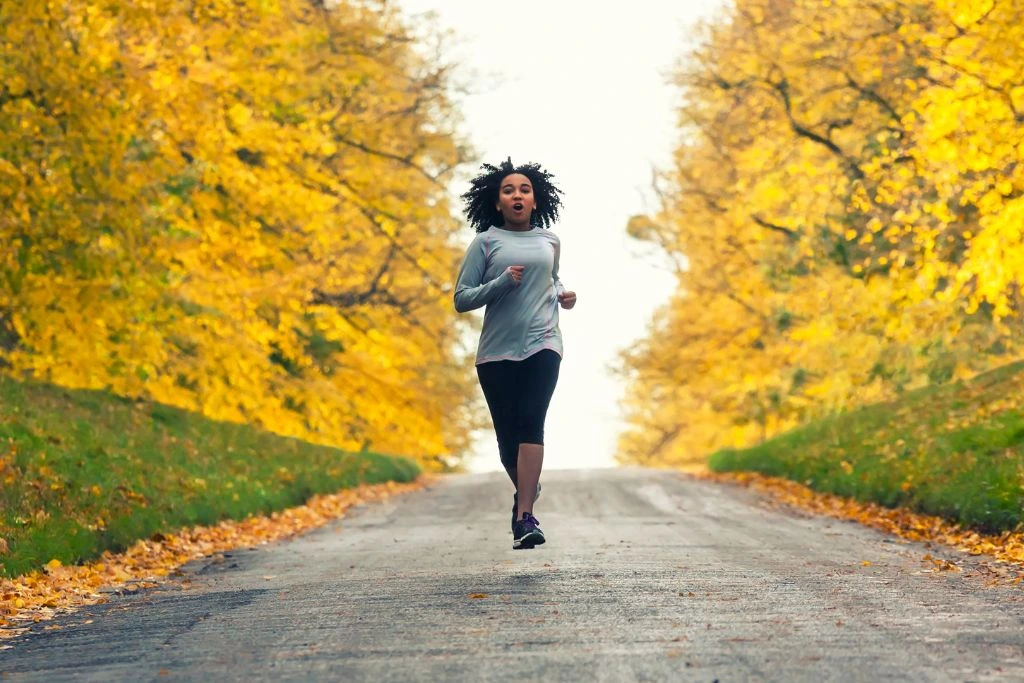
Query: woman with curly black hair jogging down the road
[513, 269]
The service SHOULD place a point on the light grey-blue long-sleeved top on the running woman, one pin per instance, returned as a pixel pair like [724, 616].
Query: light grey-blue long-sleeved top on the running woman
[520, 319]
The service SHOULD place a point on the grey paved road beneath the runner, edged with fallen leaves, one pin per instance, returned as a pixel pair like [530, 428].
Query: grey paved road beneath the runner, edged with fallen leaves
[646, 577]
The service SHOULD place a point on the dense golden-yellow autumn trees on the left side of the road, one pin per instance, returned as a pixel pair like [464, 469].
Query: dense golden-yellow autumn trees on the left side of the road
[238, 208]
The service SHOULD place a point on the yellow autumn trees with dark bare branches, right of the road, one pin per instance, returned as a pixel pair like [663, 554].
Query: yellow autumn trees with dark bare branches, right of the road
[847, 197]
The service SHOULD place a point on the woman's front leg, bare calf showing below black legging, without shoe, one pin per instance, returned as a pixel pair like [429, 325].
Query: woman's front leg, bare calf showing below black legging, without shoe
[540, 375]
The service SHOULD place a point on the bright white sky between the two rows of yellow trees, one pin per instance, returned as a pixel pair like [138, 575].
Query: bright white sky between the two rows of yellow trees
[582, 90]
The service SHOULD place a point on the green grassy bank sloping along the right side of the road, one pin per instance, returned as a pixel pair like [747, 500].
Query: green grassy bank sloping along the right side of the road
[956, 451]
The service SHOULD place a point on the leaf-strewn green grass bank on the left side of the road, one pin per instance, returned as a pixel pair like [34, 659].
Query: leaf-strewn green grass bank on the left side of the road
[86, 472]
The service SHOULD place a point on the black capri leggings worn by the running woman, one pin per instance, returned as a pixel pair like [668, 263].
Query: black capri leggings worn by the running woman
[519, 394]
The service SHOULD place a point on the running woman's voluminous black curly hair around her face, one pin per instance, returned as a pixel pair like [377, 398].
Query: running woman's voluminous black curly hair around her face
[483, 196]
